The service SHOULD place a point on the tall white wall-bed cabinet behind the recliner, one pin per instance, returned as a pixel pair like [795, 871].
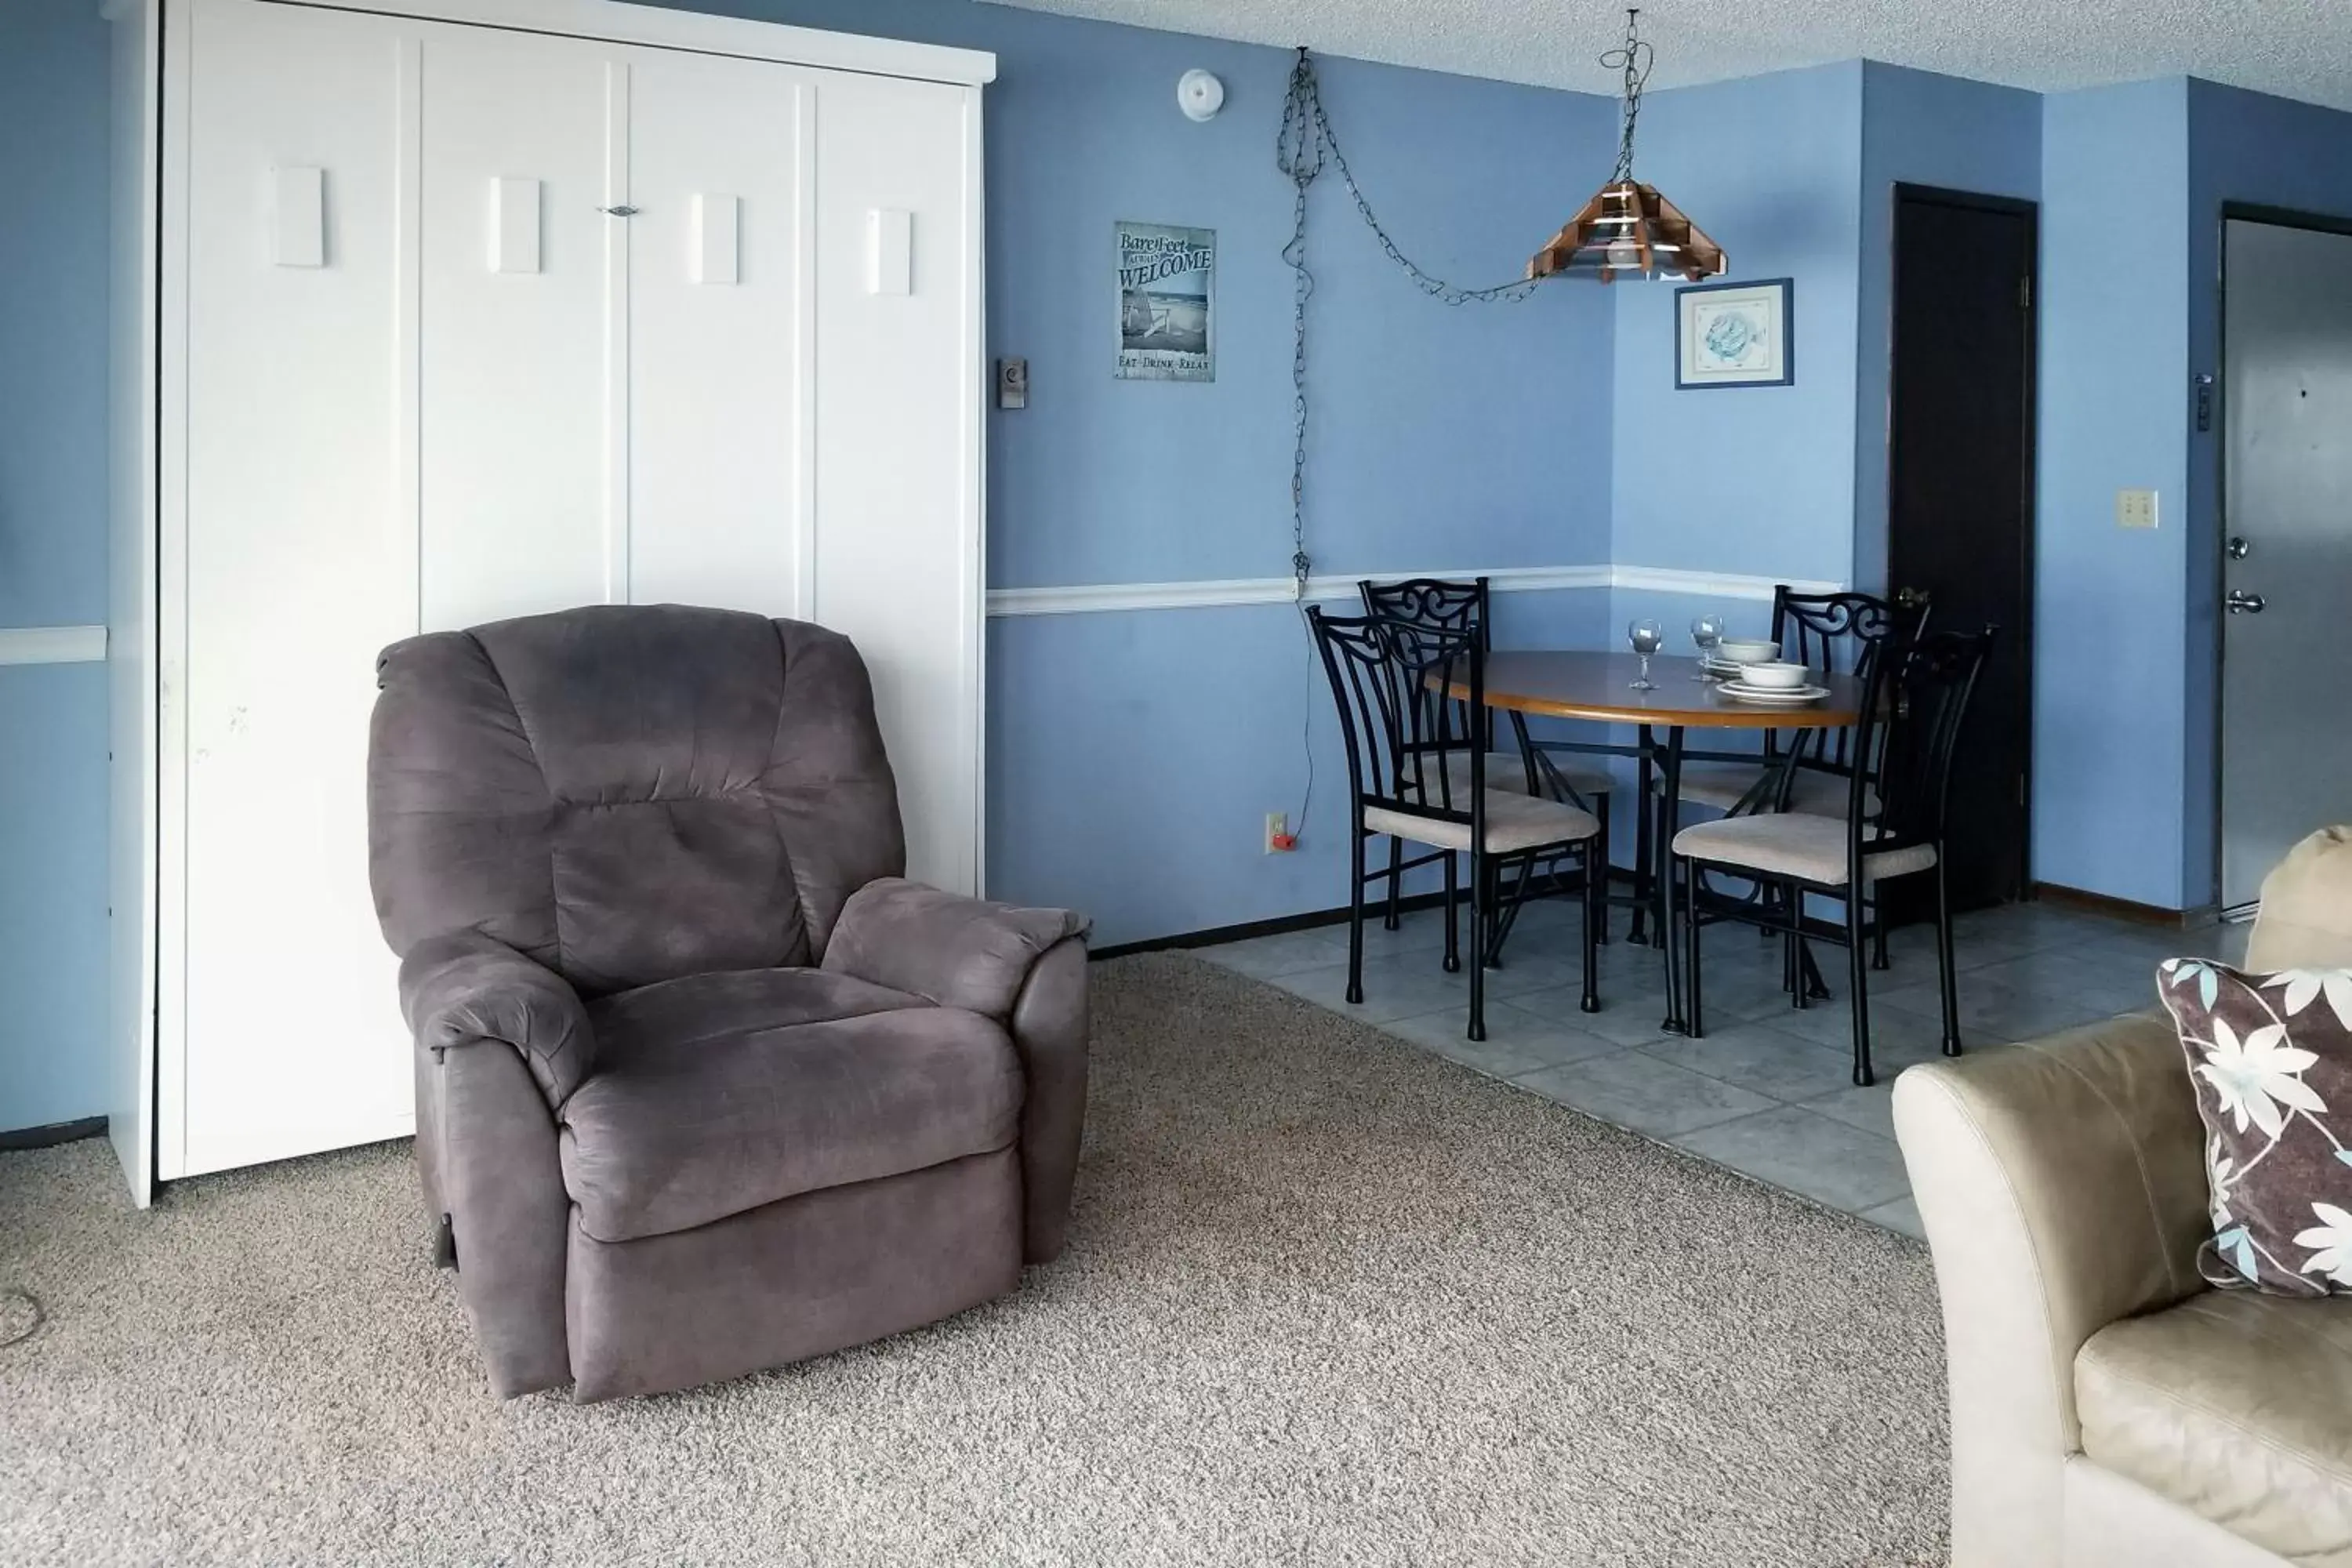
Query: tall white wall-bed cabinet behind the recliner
[441, 311]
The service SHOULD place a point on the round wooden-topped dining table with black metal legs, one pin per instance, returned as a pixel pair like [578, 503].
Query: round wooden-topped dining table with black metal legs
[1598, 688]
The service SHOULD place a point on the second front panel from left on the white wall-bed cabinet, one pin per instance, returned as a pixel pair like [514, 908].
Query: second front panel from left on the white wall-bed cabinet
[519, 413]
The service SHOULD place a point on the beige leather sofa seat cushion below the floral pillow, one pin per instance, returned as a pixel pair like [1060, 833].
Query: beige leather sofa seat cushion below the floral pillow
[2236, 1407]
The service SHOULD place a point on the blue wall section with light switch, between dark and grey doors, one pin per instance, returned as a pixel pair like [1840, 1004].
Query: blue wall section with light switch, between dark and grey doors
[2111, 603]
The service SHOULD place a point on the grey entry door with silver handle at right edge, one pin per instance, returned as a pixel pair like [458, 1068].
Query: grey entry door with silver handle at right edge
[2287, 492]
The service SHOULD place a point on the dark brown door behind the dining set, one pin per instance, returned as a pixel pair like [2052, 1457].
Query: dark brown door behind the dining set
[1960, 495]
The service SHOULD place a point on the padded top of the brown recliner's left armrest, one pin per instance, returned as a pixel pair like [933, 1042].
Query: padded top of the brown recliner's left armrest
[465, 989]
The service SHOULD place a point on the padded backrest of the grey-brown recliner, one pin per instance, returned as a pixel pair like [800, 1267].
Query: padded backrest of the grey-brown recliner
[629, 793]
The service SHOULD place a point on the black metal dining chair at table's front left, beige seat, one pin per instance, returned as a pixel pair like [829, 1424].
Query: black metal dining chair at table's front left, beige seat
[1410, 699]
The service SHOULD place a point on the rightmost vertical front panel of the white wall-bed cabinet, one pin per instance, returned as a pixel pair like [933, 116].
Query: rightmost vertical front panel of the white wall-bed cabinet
[897, 429]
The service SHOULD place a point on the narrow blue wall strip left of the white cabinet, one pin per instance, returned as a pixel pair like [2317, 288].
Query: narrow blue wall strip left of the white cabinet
[53, 558]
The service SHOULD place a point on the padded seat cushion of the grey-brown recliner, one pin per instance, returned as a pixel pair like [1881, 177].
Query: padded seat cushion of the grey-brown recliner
[719, 1094]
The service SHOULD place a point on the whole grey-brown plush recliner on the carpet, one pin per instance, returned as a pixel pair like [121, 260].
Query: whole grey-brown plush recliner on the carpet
[702, 1083]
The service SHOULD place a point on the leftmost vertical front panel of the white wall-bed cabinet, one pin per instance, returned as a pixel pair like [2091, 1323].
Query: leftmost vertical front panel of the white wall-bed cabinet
[298, 570]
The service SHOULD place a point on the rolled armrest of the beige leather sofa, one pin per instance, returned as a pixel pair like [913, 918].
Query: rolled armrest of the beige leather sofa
[2064, 1188]
